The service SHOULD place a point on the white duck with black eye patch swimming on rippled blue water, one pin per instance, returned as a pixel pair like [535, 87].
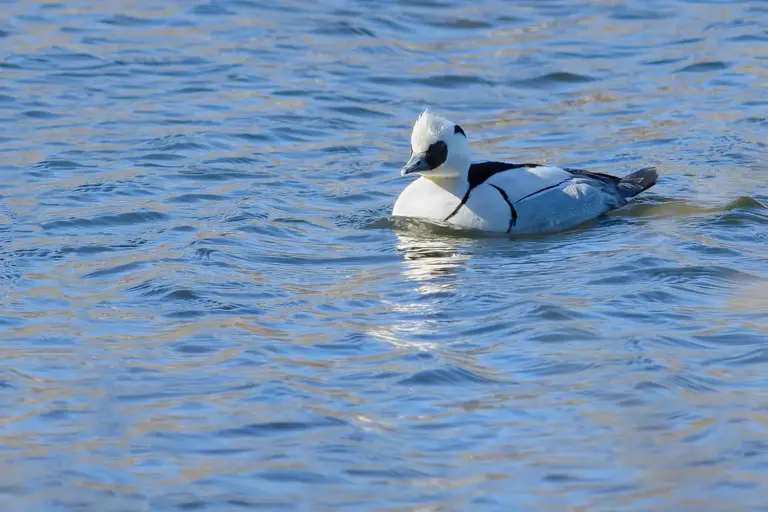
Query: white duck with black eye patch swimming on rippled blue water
[494, 196]
